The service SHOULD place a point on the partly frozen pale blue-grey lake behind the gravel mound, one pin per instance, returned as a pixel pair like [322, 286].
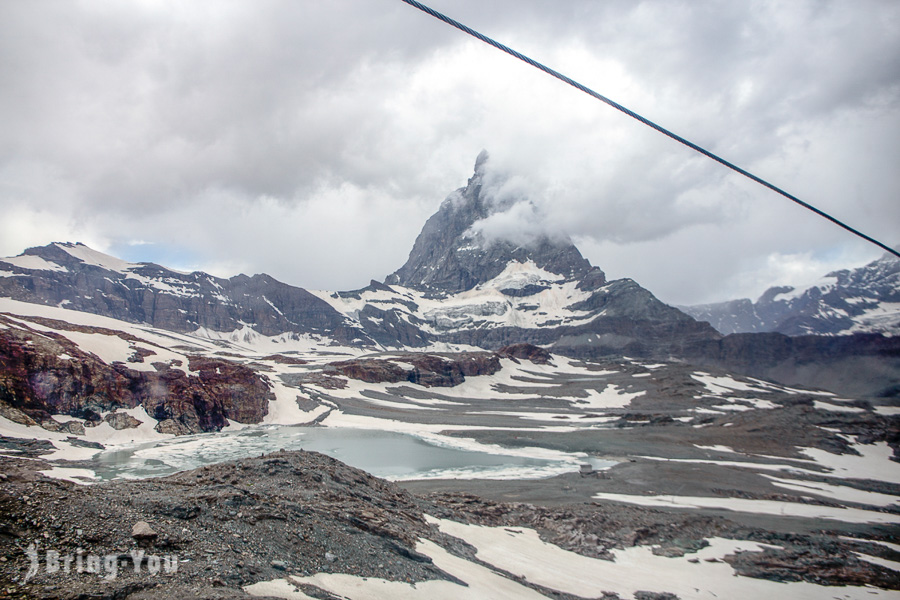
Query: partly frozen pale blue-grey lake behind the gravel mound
[390, 455]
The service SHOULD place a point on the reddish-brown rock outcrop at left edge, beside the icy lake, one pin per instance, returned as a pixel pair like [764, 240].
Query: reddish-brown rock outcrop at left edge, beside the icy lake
[43, 374]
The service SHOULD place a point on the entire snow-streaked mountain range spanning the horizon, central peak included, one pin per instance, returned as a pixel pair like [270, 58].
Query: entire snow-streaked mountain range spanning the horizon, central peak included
[461, 290]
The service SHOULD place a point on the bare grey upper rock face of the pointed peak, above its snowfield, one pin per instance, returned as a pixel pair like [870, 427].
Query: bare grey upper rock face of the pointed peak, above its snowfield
[448, 257]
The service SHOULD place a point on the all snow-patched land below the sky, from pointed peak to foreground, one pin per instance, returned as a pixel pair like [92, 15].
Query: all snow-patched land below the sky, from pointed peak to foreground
[514, 425]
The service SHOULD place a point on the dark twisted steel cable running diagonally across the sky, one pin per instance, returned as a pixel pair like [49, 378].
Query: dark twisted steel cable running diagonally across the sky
[645, 121]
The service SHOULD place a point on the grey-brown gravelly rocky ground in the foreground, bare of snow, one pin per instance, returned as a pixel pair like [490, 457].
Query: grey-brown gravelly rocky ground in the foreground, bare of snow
[234, 524]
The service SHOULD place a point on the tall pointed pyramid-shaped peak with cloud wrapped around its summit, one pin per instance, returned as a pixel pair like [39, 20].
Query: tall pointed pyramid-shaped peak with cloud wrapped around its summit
[459, 288]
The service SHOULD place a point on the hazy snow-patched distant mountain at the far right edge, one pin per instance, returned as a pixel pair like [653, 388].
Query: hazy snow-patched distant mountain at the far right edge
[862, 300]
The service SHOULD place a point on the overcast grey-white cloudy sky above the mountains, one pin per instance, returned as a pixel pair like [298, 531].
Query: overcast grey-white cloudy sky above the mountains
[312, 139]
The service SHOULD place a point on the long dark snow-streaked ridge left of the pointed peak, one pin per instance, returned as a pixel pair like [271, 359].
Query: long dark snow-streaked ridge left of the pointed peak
[79, 278]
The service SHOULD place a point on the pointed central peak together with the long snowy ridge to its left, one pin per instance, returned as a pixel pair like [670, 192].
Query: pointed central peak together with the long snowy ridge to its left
[456, 288]
